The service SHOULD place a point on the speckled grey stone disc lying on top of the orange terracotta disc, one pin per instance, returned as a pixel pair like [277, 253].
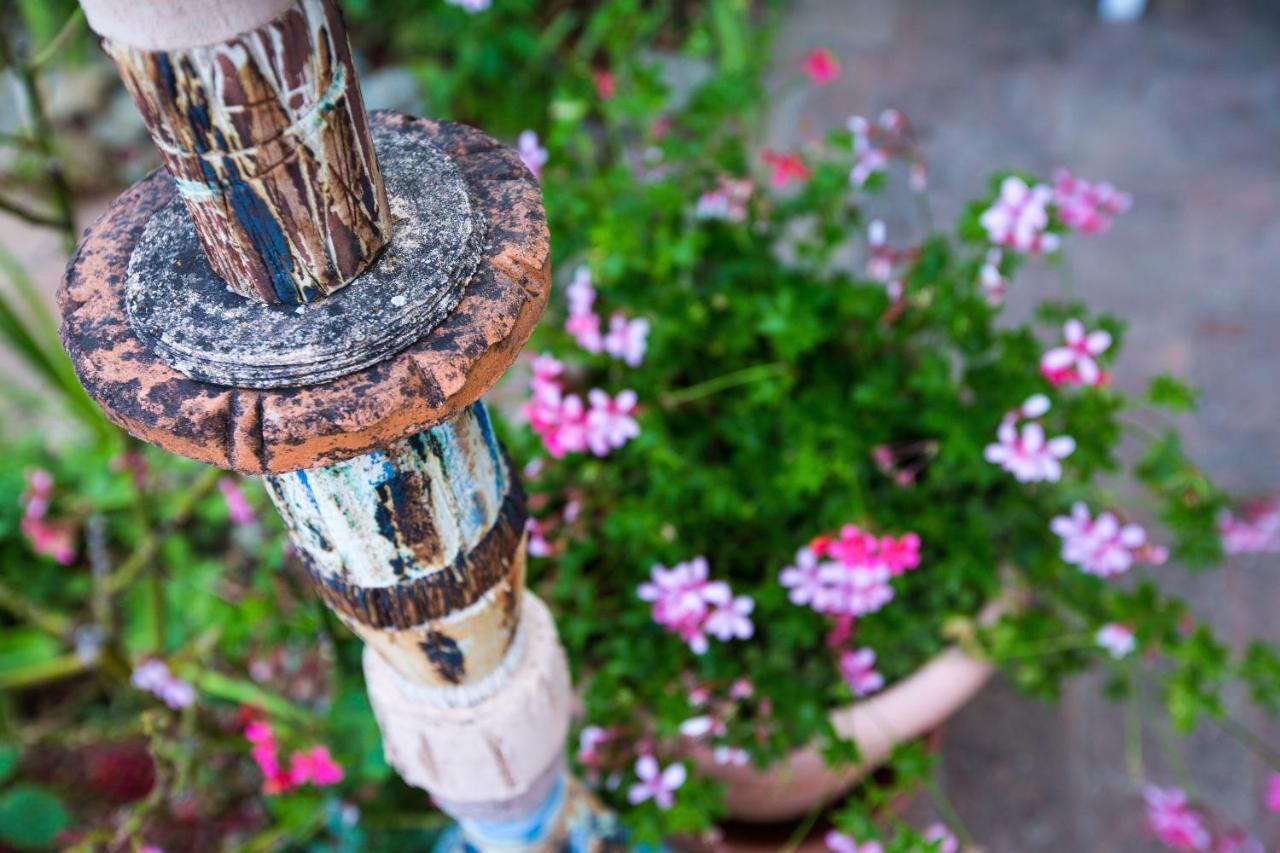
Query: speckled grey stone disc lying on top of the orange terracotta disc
[191, 318]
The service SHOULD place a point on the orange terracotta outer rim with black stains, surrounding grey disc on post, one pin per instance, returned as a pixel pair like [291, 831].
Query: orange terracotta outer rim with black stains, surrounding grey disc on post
[286, 430]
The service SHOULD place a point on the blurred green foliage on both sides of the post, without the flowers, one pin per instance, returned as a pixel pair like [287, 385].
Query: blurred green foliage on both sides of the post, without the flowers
[776, 371]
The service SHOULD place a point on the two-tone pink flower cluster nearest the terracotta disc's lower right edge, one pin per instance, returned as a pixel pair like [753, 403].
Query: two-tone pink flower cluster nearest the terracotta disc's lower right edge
[569, 426]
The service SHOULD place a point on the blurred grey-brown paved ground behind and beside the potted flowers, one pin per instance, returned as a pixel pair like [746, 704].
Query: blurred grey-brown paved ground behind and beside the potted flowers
[1182, 110]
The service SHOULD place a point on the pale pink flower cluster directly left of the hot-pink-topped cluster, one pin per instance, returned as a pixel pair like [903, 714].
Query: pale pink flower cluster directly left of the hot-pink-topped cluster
[692, 606]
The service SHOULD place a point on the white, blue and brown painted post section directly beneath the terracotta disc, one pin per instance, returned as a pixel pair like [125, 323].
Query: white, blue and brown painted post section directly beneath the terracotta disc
[418, 548]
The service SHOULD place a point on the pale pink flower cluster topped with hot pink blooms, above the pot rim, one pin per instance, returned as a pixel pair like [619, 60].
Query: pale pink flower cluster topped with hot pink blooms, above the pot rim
[849, 574]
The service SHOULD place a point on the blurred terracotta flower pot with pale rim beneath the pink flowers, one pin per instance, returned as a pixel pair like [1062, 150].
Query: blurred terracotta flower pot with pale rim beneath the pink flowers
[903, 713]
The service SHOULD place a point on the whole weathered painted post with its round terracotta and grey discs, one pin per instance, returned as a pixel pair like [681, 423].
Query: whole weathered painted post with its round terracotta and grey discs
[323, 298]
